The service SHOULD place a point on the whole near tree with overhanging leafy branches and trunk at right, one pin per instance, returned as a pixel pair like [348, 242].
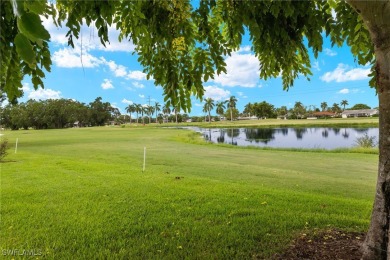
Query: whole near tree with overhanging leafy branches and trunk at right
[181, 46]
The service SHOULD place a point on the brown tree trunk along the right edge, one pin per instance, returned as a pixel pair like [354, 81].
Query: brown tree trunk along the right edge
[376, 16]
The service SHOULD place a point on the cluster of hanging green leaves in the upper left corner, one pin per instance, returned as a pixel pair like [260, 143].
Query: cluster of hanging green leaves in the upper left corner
[24, 45]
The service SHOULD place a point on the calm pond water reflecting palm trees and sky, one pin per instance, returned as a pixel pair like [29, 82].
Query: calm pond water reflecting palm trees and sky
[315, 137]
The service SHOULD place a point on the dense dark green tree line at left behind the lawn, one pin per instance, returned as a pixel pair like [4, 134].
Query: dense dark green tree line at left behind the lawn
[57, 113]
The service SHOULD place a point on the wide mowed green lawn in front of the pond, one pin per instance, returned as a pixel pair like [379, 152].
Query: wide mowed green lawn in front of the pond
[81, 193]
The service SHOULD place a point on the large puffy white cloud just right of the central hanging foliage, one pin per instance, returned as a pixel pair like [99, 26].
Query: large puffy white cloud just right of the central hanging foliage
[242, 70]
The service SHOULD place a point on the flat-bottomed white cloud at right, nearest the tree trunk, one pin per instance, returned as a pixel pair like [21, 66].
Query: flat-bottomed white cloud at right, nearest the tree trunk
[344, 73]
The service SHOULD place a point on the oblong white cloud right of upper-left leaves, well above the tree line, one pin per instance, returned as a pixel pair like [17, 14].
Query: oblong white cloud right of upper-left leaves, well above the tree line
[74, 58]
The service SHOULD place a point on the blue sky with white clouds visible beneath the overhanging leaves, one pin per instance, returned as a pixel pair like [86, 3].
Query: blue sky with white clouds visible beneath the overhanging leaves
[113, 73]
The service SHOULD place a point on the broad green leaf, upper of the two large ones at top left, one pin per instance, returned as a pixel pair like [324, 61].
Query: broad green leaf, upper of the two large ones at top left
[31, 26]
